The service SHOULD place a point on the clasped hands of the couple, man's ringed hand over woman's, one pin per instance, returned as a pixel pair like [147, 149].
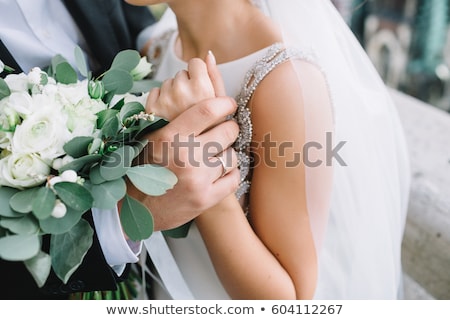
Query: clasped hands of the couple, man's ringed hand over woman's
[198, 132]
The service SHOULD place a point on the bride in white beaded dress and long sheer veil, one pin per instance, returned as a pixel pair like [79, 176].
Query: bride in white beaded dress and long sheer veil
[324, 186]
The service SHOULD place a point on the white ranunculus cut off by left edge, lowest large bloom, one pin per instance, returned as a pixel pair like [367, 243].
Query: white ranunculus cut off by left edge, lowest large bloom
[23, 171]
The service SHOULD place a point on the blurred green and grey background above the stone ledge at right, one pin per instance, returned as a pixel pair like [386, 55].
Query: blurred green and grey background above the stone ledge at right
[408, 41]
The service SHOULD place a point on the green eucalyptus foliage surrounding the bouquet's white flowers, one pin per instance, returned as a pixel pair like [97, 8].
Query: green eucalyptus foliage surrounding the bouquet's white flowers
[101, 162]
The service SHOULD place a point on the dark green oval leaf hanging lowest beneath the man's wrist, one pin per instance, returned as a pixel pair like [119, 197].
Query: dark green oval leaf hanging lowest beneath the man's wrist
[136, 219]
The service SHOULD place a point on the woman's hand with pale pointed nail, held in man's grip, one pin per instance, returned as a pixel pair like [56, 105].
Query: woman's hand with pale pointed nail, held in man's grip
[199, 82]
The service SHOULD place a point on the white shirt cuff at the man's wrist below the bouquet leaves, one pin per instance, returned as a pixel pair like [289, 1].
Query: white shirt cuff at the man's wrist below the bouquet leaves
[117, 250]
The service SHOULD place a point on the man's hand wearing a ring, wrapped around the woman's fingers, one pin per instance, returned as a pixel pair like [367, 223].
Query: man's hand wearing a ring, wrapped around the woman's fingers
[188, 146]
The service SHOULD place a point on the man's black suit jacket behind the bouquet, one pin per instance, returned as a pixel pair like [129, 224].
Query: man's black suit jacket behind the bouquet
[108, 26]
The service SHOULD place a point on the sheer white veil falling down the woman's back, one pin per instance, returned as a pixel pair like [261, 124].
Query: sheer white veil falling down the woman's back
[360, 232]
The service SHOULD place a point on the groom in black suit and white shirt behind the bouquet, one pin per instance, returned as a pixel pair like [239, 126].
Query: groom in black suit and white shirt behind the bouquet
[30, 33]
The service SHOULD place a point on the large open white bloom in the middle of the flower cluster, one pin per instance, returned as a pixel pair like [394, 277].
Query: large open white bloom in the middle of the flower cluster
[44, 132]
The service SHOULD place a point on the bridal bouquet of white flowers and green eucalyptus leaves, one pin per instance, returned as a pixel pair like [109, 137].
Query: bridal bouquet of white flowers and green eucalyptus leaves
[66, 146]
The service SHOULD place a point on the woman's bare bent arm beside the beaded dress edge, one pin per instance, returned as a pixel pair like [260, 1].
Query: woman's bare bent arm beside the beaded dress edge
[277, 258]
